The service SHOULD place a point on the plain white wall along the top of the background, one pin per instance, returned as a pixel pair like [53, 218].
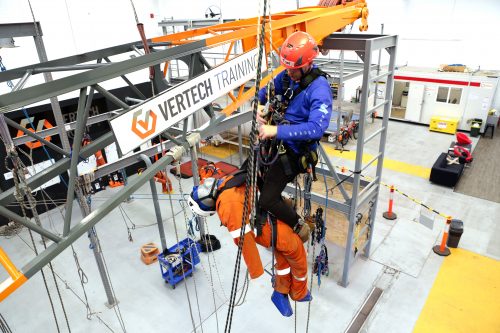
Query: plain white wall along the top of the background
[431, 32]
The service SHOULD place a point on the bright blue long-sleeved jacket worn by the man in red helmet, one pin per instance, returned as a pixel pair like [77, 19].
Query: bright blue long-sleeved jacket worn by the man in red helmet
[308, 113]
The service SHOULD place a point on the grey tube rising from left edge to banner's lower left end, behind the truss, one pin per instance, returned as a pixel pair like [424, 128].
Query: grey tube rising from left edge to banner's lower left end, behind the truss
[58, 167]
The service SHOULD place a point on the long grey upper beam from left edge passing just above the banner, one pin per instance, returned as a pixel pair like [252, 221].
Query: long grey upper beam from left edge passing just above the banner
[40, 92]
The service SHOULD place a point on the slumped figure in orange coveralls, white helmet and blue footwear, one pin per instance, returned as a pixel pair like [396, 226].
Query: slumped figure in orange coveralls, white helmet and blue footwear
[226, 197]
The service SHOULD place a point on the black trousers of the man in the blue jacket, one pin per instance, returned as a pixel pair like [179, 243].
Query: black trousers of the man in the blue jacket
[274, 183]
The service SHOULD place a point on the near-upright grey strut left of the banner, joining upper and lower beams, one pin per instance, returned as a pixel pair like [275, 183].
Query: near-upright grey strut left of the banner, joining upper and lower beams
[82, 113]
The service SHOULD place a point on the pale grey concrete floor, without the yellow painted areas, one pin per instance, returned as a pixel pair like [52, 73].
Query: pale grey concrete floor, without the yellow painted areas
[401, 263]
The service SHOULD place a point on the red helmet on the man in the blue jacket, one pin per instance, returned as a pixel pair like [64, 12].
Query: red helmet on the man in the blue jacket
[298, 50]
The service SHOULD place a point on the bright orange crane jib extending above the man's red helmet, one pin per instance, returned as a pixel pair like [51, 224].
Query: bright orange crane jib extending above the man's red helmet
[318, 21]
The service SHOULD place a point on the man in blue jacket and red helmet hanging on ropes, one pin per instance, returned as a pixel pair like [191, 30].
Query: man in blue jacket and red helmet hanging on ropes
[307, 95]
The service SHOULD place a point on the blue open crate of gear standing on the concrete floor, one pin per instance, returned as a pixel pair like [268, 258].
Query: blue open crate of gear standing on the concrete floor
[179, 261]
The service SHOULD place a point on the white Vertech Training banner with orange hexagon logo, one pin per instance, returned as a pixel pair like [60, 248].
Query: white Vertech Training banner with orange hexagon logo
[151, 118]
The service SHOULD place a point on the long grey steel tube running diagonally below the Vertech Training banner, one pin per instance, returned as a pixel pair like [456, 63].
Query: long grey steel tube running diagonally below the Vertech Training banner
[35, 265]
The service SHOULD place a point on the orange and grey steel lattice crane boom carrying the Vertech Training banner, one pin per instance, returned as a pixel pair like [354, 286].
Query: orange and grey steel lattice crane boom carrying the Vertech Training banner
[318, 21]
